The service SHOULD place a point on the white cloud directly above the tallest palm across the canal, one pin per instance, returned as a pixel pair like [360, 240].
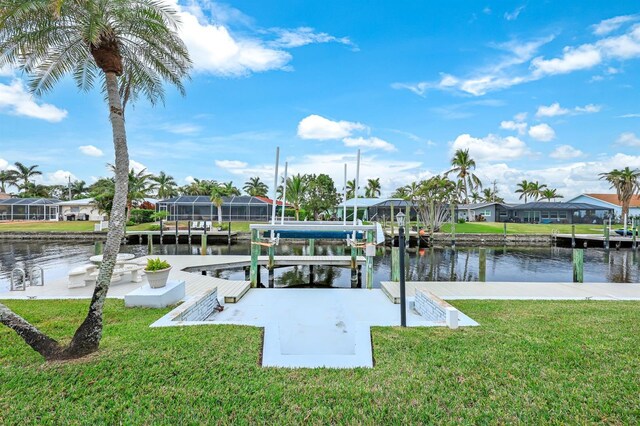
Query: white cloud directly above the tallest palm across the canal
[491, 148]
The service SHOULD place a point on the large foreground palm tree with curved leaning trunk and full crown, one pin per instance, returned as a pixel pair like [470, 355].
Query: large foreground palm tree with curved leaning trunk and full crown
[131, 48]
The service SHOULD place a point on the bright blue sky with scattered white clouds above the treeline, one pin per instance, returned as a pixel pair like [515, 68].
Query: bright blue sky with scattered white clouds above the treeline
[539, 90]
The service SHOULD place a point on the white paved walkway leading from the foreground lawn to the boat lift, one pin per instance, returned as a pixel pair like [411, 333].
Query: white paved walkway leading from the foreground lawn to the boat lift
[315, 327]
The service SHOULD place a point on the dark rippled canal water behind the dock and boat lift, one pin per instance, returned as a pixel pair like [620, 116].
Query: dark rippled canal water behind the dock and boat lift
[539, 264]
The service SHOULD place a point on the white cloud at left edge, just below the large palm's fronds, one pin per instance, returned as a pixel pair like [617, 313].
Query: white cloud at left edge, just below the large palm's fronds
[16, 100]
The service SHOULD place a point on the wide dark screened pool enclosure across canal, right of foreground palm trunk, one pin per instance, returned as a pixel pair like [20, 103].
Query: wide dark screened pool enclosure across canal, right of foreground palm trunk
[200, 207]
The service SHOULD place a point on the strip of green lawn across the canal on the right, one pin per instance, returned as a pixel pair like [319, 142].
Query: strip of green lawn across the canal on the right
[522, 228]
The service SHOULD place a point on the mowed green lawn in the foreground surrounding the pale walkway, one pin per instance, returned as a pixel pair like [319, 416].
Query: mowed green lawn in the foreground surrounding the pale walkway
[529, 362]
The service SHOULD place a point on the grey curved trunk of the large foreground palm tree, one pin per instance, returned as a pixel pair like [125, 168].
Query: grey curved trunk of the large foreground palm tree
[87, 338]
